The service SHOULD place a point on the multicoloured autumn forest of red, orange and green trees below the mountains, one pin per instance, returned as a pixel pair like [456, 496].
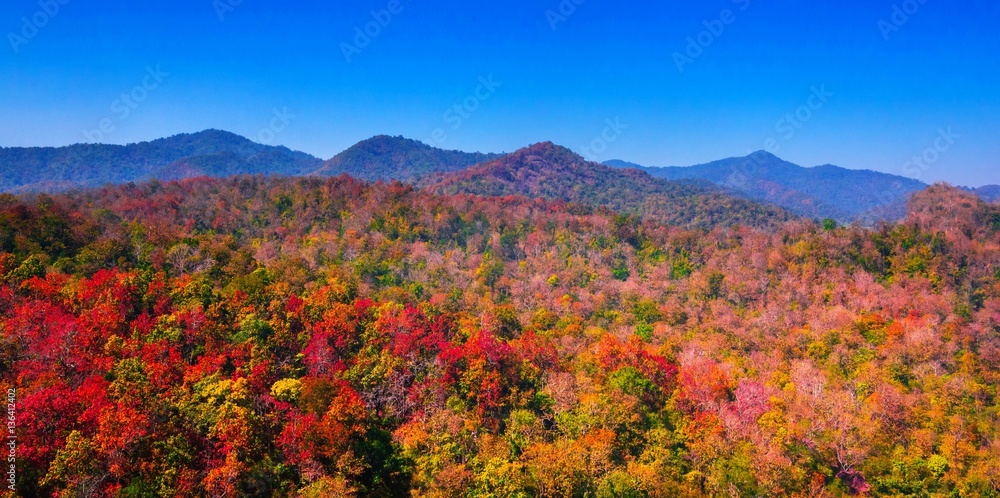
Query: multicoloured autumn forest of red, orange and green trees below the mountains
[311, 337]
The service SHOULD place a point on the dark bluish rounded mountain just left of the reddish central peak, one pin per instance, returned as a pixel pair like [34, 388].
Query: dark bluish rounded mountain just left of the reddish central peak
[397, 158]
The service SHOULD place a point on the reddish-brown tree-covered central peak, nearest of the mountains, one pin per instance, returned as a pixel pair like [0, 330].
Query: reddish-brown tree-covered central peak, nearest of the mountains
[552, 172]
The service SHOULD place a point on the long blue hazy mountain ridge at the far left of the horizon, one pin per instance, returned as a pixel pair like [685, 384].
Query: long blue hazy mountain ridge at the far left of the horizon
[206, 153]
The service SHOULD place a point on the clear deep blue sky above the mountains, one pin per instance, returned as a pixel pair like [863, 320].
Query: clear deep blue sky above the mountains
[679, 82]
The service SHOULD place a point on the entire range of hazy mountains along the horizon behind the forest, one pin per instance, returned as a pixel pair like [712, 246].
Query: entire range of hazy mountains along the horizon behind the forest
[755, 189]
